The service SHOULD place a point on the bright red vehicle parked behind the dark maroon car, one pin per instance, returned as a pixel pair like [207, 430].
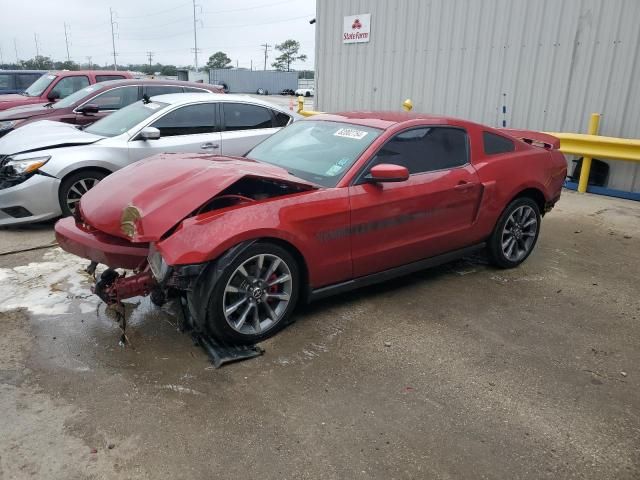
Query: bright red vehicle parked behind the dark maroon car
[53, 86]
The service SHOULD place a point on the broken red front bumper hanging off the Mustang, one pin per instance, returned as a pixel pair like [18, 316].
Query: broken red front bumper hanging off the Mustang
[98, 246]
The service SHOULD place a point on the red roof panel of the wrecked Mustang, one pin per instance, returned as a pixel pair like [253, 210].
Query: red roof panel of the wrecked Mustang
[386, 119]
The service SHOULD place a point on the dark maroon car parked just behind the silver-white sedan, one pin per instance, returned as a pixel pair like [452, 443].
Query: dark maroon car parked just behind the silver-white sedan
[96, 101]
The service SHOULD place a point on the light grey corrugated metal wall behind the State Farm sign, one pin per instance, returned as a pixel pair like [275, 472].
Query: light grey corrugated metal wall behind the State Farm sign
[552, 62]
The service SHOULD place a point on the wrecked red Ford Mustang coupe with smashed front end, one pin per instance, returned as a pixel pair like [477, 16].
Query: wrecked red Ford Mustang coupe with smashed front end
[328, 204]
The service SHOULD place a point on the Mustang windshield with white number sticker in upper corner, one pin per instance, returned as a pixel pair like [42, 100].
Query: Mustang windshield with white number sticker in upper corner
[314, 150]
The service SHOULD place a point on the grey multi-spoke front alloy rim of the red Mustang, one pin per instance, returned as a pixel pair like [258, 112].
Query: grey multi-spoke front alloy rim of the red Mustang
[257, 294]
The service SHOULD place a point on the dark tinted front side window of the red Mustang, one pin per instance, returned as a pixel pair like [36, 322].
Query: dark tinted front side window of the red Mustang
[425, 149]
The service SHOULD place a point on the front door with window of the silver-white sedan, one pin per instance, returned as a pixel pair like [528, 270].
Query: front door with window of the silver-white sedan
[188, 128]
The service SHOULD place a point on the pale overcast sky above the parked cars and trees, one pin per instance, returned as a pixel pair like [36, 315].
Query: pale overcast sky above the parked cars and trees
[164, 27]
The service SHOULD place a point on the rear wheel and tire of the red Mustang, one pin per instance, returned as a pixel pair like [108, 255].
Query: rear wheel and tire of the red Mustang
[515, 234]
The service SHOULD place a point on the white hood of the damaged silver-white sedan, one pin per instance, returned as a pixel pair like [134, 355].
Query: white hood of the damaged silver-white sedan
[43, 135]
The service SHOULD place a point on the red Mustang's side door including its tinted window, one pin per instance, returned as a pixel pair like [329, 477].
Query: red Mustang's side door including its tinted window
[393, 224]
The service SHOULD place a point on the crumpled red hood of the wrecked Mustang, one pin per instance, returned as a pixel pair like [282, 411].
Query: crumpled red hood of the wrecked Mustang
[160, 191]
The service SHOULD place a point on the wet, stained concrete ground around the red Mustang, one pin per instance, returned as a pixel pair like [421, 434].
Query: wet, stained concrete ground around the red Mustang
[463, 371]
